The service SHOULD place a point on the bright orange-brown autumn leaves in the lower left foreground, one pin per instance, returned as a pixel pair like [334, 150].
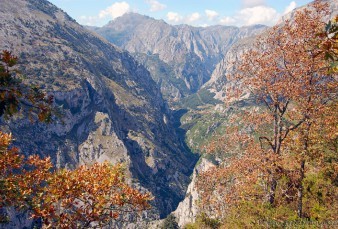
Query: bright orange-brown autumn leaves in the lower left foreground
[86, 196]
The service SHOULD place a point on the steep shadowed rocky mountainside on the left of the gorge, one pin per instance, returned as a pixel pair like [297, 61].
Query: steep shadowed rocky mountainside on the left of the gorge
[113, 110]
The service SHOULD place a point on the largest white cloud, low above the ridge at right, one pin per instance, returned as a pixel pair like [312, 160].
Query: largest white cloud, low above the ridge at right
[251, 16]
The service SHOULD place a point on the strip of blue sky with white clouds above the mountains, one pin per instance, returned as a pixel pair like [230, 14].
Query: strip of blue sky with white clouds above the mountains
[191, 12]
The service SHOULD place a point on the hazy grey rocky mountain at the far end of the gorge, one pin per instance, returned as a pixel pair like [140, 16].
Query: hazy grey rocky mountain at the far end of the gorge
[180, 58]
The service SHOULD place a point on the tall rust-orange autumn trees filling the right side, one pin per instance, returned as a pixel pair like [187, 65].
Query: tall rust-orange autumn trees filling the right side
[284, 150]
